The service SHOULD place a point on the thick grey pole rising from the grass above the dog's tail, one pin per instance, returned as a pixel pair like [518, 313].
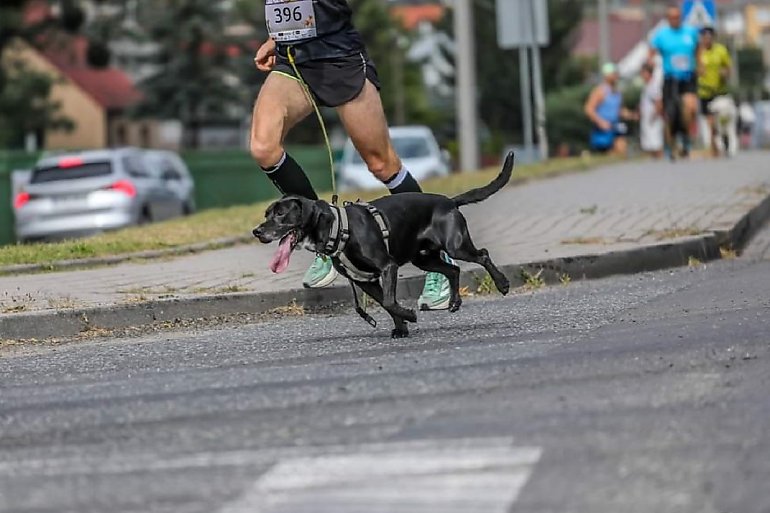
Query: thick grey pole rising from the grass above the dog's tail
[465, 92]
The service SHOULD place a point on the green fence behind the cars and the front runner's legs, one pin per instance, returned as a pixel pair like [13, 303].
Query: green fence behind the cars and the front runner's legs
[222, 178]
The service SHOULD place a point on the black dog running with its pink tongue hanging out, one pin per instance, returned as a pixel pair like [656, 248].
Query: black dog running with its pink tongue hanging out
[420, 225]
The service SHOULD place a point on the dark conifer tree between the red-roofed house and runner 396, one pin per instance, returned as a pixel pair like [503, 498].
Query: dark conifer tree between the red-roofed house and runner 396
[196, 81]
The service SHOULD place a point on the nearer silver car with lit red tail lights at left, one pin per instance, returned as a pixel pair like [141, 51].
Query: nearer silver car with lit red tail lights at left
[76, 194]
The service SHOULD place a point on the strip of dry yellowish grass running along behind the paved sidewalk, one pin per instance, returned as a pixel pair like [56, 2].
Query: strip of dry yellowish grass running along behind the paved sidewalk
[215, 224]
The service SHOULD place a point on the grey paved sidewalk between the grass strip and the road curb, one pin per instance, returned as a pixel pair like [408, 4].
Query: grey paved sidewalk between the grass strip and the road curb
[619, 207]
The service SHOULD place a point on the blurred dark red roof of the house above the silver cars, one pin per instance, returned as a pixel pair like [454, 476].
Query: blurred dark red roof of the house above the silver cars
[110, 87]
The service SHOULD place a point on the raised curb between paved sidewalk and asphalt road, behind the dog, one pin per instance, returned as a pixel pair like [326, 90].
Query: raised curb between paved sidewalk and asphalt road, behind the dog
[704, 247]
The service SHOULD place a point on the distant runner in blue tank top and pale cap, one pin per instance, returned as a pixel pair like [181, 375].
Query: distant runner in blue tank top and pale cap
[604, 107]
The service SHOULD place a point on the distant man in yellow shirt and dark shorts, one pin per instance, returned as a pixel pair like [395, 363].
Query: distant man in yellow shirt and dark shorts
[713, 71]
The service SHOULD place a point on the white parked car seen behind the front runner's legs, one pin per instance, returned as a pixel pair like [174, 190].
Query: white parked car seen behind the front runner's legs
[417, 147]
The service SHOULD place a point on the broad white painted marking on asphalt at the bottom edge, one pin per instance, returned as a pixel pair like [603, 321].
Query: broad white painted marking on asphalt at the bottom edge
[462, 476]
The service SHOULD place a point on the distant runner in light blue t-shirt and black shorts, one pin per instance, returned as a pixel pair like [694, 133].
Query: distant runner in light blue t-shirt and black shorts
[677, 45]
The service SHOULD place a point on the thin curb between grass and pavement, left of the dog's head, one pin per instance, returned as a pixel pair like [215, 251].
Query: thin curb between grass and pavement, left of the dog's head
[85, 263]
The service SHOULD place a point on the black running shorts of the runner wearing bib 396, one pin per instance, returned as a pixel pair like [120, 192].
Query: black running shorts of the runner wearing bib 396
[333, 82]
